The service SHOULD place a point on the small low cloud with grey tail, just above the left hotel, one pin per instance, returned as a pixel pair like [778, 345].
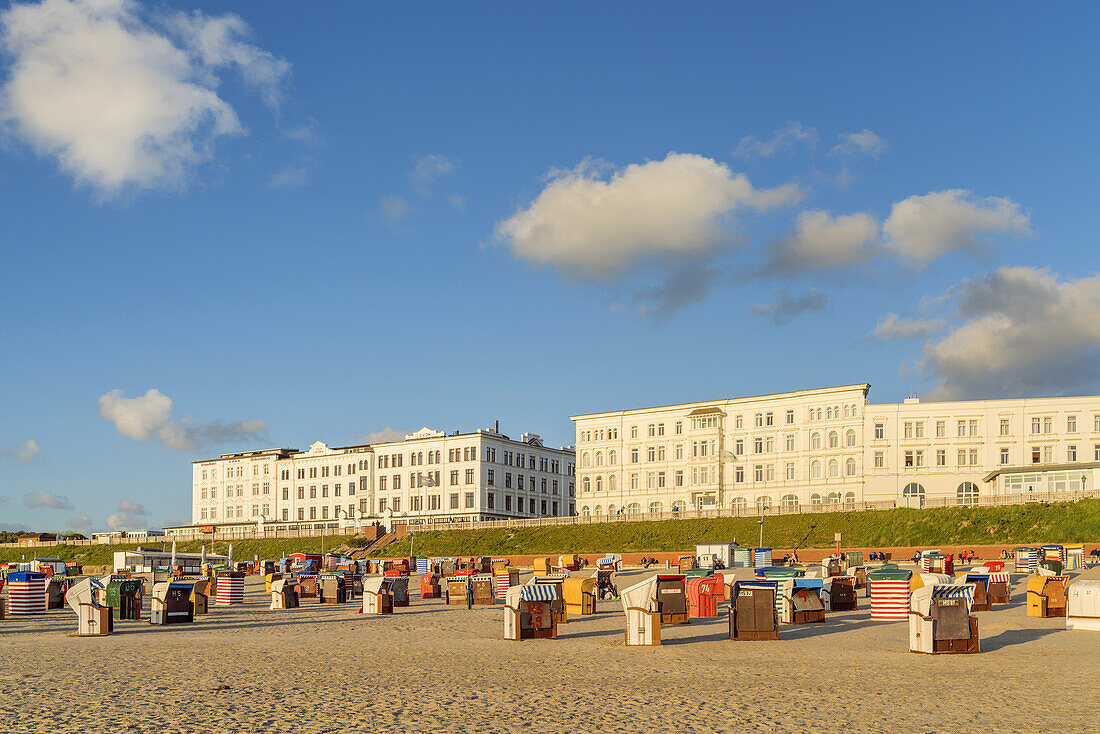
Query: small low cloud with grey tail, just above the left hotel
[150, 418]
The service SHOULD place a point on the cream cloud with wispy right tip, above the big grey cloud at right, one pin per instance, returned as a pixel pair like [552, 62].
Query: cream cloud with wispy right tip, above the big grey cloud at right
[923, 228]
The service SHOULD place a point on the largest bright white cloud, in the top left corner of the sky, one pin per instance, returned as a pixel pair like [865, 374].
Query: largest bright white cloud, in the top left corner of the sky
[124, 96]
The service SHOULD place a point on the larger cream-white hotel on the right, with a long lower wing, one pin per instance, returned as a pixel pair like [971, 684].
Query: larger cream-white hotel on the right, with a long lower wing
[830, 446]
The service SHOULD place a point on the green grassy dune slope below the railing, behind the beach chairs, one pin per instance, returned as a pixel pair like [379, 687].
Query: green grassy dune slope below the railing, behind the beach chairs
[1071, 522]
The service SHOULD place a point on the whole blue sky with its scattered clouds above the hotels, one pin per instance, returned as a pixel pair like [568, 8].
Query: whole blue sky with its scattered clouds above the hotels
[353, 217]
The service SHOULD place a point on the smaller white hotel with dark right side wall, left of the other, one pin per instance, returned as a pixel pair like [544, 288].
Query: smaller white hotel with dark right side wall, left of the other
[430, 477]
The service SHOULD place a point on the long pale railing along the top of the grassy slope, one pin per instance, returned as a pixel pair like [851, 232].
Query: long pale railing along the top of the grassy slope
[301, 532]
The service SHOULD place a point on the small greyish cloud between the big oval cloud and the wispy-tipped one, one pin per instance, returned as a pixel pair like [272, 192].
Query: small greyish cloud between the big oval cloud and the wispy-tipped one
[821, 242]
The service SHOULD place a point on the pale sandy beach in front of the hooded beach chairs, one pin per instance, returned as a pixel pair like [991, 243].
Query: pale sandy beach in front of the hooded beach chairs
[430, 667]
